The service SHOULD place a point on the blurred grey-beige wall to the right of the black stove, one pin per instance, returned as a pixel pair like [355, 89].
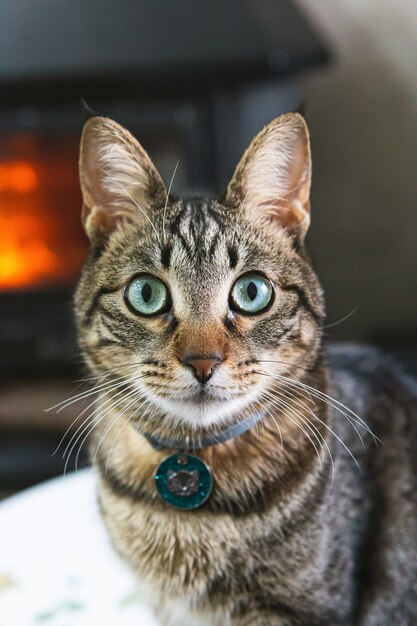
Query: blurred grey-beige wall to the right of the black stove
[363, 117]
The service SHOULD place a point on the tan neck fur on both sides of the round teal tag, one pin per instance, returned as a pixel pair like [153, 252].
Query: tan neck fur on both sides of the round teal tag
[286, 448]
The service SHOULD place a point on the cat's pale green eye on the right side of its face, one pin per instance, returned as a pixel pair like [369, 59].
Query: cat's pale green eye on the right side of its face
[251, 294]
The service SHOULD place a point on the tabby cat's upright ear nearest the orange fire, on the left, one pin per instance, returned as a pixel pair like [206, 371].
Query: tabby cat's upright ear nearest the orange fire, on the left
[118, 180]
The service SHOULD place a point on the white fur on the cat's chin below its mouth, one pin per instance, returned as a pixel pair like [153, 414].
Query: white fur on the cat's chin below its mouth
[206, 412]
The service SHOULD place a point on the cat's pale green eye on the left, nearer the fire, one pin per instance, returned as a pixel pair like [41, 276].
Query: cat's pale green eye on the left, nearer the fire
[147, 295]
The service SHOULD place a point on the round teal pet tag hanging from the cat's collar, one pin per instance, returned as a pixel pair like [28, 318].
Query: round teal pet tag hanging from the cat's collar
[183, 481]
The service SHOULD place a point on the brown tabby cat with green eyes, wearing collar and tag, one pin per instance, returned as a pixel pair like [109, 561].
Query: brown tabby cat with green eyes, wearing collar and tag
[202, 322]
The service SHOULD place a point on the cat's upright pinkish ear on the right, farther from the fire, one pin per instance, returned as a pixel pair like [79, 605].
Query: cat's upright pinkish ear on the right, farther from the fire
[273, 177]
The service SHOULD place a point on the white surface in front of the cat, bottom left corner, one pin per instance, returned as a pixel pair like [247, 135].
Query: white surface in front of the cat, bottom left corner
[57, 567]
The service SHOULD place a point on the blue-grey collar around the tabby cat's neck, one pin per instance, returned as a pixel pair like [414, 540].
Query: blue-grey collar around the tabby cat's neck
[158, 443]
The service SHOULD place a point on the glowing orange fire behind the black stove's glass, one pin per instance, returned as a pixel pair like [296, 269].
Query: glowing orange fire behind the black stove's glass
[41, 243]
